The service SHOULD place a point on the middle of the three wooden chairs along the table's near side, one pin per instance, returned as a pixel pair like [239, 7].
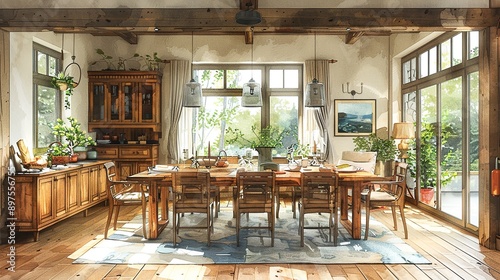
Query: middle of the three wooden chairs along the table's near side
[255, 194]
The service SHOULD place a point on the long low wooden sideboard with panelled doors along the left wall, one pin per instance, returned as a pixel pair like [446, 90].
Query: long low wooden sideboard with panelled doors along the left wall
[47, 197]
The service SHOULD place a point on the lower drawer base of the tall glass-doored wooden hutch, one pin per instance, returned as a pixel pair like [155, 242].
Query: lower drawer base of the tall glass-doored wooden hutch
[129, 158]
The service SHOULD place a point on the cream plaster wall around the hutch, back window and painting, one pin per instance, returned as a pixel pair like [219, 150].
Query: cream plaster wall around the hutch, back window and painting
[365, 61]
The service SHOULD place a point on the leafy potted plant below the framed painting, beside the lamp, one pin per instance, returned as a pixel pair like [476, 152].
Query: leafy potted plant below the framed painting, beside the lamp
[386, 151]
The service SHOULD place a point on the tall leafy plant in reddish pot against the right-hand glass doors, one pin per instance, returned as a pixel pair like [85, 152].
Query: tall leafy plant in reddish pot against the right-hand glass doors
[428, 162]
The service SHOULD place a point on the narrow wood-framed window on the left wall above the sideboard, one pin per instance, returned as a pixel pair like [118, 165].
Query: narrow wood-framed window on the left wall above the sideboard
[46, 64]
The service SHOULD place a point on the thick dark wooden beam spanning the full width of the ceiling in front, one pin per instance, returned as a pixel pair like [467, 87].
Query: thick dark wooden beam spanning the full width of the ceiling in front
[373, 22]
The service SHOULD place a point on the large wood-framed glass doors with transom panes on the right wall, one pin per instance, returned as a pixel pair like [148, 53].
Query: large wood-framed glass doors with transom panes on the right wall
[443, 103]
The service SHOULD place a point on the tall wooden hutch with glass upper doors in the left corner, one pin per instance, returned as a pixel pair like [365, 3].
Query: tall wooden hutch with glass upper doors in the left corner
[126, 105]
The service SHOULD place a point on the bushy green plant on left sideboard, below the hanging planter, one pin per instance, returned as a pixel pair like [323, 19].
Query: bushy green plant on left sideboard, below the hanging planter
[72, 134]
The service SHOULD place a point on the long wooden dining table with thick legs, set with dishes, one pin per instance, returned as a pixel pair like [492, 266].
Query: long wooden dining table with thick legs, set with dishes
[159, 183]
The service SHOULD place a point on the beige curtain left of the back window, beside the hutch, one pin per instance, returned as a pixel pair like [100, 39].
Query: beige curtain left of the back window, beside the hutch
[180, 71]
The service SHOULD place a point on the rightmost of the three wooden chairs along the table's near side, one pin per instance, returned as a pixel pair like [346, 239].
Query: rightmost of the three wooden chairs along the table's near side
[319, 192]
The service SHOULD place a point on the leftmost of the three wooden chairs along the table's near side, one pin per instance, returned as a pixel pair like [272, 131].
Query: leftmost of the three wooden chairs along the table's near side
[192, 194]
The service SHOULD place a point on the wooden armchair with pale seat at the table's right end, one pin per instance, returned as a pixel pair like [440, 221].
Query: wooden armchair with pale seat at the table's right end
[387, 193]
